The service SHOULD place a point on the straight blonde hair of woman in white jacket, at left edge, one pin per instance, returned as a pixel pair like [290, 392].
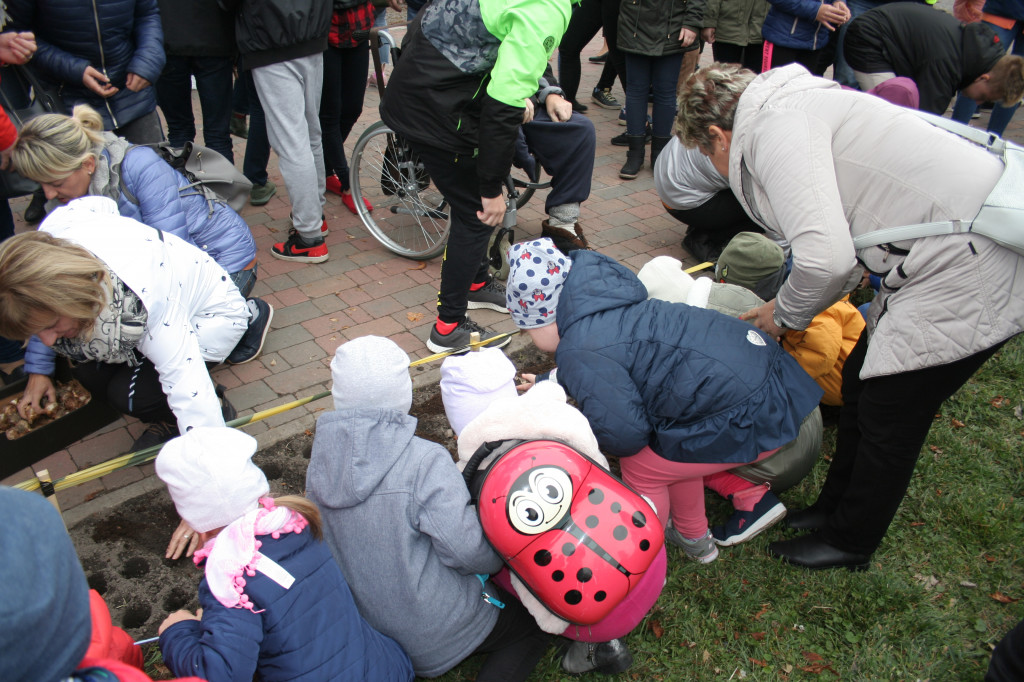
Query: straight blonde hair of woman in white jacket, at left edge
[41, 275]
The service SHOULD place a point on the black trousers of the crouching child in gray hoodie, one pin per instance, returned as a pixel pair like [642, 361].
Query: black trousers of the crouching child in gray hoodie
[516, 645]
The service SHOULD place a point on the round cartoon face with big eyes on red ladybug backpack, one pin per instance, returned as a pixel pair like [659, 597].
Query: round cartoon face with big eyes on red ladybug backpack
[541, 500]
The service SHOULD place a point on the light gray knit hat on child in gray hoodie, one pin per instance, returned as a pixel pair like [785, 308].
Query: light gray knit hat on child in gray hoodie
[371, 372]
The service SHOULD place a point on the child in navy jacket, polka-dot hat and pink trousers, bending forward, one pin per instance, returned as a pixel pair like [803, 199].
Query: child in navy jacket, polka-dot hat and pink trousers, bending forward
[678, 393]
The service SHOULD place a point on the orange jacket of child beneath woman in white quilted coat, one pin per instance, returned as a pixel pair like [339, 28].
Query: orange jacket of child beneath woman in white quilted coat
[823, 348]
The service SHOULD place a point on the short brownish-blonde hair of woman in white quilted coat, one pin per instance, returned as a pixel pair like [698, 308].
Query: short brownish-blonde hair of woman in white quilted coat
[708, 99]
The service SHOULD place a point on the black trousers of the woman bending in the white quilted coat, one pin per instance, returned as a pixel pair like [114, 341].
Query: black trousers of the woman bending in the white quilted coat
[882, 428]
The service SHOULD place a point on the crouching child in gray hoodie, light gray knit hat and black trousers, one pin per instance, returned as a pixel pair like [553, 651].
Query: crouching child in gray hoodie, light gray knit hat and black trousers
[397, 519]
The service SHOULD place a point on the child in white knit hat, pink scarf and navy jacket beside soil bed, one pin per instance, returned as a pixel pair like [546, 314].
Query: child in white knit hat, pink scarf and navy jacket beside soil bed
[273, 600]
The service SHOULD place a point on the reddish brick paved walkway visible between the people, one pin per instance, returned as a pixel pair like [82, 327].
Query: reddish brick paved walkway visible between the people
[363, 289]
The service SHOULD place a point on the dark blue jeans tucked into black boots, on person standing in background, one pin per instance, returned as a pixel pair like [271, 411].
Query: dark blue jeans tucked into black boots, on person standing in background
[645, 73]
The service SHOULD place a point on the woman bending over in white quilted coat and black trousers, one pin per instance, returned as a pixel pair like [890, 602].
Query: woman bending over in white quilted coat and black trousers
[817, 166]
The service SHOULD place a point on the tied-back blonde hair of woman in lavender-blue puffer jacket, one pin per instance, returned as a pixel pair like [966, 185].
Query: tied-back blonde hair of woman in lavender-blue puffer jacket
[52, 147]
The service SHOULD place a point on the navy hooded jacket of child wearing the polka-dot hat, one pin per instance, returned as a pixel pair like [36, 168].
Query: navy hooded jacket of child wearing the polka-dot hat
[693, 385]
